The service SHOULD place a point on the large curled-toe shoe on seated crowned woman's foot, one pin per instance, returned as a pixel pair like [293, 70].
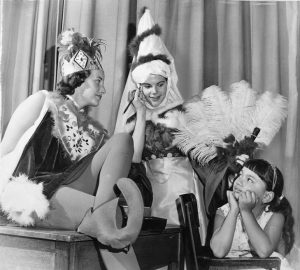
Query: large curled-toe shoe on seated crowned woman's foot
[100, 222]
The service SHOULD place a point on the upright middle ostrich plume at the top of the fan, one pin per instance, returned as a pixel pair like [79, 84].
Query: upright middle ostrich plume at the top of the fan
[243, 104]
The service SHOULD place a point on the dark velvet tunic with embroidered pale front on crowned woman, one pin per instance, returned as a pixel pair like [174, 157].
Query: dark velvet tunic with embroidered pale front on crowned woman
[60, 144]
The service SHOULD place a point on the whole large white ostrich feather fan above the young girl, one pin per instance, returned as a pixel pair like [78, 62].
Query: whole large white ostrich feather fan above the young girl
[221, 123]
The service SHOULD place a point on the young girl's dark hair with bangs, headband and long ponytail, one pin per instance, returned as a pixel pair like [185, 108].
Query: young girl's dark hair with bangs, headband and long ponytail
[273, 178]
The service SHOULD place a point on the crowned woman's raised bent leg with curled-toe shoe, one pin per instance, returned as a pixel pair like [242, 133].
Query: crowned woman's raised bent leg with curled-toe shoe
[112, 163]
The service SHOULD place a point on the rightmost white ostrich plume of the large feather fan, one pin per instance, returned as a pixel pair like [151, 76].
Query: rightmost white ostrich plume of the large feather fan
[271, 111]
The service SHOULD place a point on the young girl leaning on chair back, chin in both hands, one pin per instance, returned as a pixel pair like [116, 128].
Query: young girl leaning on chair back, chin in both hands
[257, 219]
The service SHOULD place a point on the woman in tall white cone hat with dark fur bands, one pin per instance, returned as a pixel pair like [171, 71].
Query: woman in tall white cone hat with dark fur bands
[152, 121]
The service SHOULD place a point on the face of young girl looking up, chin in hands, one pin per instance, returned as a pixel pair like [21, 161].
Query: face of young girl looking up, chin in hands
[249, 181]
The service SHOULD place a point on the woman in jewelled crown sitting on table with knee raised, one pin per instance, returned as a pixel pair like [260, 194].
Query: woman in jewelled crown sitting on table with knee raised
[59, 169]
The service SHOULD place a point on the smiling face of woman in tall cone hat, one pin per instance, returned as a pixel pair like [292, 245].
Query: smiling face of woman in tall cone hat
[155, 89]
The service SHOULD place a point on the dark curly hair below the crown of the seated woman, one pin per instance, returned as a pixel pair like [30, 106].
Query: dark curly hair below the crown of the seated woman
[69, 83]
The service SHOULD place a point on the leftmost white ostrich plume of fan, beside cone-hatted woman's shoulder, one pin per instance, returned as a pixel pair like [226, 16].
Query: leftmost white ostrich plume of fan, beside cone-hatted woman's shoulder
[201, 131]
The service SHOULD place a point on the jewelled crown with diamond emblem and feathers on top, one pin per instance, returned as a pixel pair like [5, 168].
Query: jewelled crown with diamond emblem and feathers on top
[77, 52]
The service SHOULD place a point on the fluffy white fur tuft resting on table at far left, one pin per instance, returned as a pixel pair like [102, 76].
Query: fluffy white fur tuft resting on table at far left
[22, 198]
